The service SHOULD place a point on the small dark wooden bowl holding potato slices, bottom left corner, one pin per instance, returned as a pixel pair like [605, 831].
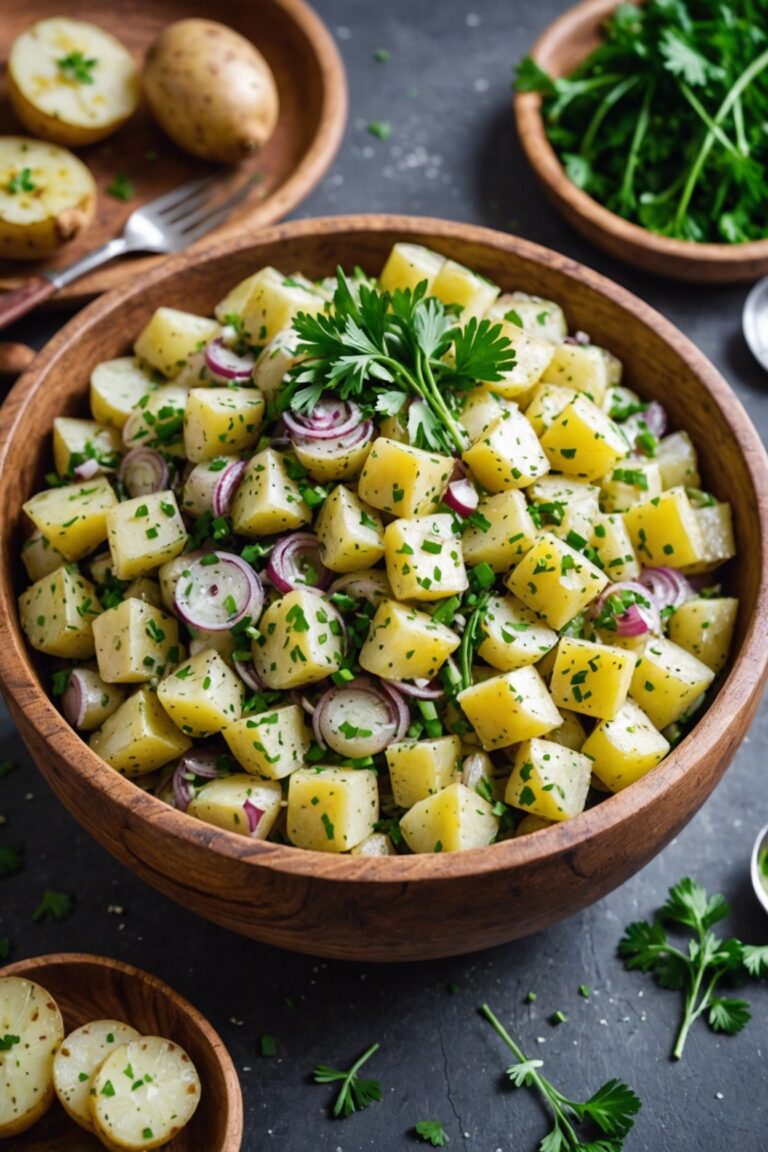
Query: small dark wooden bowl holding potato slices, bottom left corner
[96, 988]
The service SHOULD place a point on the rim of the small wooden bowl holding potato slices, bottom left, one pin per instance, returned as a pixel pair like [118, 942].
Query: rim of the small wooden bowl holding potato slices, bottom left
[157, 988]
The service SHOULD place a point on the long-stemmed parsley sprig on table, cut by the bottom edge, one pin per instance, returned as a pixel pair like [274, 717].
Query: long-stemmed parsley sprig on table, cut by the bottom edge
[612, 1109]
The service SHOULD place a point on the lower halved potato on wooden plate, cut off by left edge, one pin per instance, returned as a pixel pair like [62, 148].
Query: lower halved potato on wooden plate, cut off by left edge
[48, 196]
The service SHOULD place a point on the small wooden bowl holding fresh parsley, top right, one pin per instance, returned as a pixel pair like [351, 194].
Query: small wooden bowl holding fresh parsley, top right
[559, 50]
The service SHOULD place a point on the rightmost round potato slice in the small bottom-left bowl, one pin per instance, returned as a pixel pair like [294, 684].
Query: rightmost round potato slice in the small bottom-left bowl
[145, 1094]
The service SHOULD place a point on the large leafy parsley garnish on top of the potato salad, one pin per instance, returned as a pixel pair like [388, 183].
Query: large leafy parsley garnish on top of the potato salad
[391, 351]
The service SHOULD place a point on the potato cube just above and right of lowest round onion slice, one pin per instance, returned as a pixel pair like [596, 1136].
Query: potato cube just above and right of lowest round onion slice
[406, 645]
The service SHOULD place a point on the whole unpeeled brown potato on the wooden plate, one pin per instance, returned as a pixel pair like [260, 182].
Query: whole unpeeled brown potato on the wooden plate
[211, 90]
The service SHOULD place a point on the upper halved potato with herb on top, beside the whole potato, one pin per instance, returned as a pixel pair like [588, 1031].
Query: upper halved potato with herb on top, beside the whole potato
[72, 82]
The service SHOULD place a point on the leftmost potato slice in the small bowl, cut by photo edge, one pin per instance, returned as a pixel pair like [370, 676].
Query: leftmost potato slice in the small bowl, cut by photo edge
[32, 1030]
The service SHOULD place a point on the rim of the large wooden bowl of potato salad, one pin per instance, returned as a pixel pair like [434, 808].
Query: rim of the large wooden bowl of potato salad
[750, 668]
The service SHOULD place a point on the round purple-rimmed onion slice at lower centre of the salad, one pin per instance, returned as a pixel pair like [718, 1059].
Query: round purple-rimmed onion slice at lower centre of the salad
[361, 718]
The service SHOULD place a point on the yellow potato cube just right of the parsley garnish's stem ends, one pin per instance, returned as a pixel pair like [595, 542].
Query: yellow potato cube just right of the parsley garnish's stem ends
[508, 456]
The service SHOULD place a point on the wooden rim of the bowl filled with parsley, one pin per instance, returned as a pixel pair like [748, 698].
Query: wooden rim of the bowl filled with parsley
[548, 166]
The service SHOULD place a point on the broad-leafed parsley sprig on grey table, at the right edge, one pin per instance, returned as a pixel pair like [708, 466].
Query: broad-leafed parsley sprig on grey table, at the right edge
[698, 971]
